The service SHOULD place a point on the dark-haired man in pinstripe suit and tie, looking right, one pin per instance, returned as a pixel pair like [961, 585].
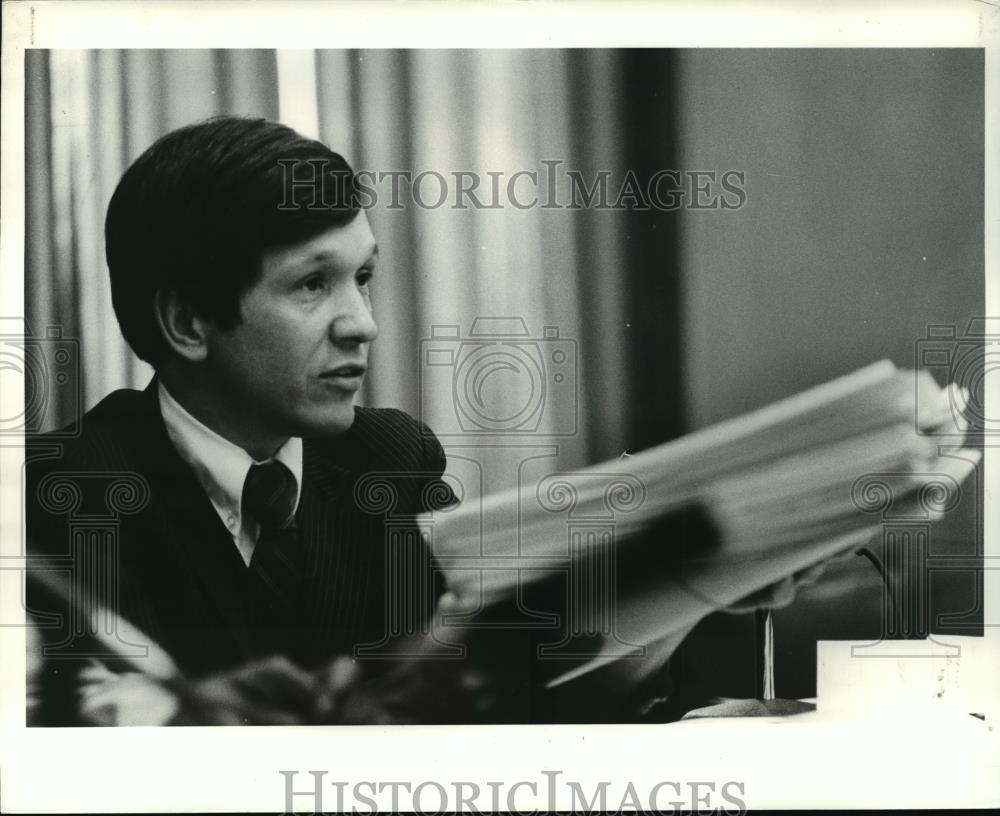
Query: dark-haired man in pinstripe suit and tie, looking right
[250, 295]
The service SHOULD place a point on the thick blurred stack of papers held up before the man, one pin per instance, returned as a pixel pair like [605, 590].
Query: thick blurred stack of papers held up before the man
[786, 487]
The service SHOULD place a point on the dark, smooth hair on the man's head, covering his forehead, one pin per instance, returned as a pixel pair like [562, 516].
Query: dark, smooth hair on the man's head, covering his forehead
[196, 210]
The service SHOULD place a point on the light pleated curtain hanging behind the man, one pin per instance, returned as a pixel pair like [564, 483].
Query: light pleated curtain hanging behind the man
[561, 271]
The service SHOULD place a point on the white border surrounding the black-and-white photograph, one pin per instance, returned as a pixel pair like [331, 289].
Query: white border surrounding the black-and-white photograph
[225, 769]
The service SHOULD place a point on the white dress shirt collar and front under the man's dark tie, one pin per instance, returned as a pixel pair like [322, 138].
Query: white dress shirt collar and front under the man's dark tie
[221, 468]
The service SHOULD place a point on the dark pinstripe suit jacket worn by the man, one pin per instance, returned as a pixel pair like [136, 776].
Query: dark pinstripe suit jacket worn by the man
[120, 506]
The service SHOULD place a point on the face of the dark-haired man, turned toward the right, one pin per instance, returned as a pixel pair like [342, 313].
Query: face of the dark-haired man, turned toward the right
[295, 362]
